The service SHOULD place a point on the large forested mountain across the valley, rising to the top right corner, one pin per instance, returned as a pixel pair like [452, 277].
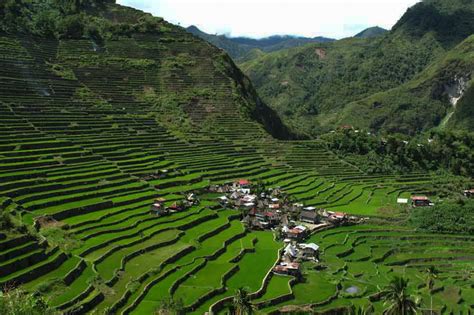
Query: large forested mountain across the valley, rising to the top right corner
[312, 87]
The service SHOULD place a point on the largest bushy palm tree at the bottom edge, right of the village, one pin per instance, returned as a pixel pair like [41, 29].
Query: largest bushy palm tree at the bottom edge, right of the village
[397, 298]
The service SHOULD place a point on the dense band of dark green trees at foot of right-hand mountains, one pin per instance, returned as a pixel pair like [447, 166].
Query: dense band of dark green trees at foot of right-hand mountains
[392, 153]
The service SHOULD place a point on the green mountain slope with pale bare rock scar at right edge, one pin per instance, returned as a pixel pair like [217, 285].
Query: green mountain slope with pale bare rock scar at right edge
[439, 96]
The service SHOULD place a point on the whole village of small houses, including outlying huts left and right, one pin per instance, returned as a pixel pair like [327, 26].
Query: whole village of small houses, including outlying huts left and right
[272, 209]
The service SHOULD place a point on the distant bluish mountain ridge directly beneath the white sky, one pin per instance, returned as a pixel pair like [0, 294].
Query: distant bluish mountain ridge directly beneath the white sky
[240, 47]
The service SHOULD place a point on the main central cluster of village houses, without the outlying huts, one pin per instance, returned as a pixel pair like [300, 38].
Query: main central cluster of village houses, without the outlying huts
[268, 209]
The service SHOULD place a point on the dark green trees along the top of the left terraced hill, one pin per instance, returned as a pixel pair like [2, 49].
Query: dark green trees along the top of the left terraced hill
[68, 19]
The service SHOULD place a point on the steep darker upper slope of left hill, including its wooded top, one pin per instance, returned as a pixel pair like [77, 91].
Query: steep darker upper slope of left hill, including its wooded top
[104, 29]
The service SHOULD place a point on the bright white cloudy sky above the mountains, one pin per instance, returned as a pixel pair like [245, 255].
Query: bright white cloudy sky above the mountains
[260, 18]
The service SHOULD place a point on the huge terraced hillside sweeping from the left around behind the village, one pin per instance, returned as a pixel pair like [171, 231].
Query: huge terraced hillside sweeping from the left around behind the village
[92, 133]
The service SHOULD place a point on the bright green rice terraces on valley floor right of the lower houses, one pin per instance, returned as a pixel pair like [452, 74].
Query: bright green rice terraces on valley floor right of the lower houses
[361, 260]
